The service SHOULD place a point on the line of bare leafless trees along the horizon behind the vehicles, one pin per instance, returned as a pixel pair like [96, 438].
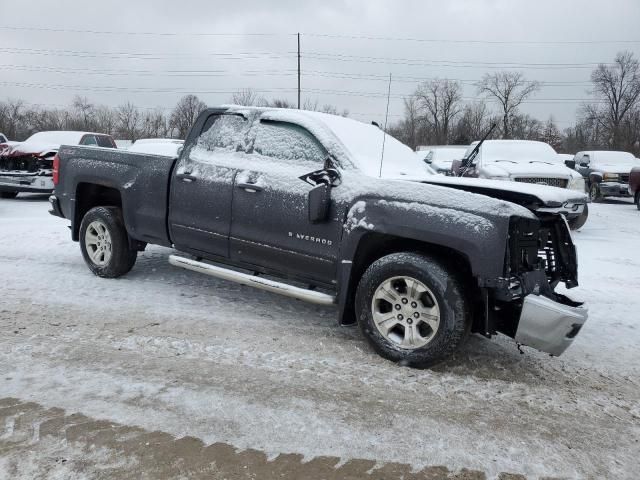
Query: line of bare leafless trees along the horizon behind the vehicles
[436, 113]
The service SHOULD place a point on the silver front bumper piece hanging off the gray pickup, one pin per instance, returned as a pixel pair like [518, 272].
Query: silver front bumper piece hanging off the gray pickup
[548, 325]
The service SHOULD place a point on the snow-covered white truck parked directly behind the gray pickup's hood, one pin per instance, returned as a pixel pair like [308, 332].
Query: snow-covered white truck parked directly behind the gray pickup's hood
[524, 162]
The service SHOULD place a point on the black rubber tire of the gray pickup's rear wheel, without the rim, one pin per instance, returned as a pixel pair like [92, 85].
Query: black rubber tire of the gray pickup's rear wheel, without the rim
[122, 257]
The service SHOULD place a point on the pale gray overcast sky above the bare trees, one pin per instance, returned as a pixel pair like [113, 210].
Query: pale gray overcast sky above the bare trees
[153, 52]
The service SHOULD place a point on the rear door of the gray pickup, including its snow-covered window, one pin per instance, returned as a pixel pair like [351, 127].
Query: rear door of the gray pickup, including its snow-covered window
[202, 187]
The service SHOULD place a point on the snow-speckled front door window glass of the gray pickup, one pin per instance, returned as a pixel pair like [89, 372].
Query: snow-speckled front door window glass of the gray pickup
[289, 143]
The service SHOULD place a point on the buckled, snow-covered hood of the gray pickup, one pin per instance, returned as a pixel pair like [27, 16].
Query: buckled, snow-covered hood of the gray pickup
[520, 193]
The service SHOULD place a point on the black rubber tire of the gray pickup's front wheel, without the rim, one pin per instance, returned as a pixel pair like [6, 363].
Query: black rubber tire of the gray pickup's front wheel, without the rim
[448, 292]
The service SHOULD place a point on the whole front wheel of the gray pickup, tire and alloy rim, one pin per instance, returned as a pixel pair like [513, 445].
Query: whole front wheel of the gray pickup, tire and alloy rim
[412, 309]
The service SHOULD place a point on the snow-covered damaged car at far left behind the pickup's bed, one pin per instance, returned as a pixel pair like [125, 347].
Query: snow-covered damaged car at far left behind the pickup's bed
[28, 166]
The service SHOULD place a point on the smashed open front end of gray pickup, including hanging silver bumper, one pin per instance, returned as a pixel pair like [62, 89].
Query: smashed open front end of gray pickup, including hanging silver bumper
[524, 304]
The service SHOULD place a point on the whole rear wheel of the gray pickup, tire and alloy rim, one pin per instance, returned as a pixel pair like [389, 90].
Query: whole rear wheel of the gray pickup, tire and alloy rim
[105, 244]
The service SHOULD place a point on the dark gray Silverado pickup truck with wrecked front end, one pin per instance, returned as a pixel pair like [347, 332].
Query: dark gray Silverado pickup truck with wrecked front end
[313, 206]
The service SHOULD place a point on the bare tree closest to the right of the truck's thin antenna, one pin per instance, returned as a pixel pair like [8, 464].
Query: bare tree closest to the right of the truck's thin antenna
[441, 102]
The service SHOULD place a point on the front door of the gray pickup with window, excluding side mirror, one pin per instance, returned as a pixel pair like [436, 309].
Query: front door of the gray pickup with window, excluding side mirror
[270, 226]
